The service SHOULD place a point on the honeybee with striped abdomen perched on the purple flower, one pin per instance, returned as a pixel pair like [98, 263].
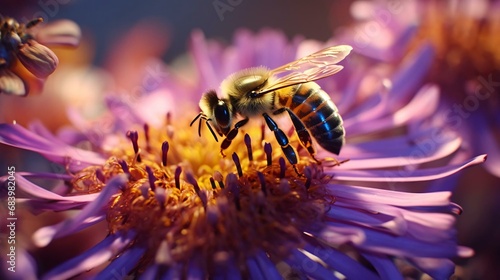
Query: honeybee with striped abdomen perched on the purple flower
[258, 91]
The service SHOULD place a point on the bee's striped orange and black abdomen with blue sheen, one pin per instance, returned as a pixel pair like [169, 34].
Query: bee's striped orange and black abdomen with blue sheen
[314, 107]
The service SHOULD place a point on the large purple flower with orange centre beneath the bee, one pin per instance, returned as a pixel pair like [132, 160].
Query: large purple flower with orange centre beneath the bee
[176, 209]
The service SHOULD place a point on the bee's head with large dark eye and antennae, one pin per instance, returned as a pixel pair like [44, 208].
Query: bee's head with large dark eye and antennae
[217, 111]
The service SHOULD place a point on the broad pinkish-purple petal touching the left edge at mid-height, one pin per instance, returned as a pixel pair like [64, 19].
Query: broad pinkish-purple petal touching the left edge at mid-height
[56, 151]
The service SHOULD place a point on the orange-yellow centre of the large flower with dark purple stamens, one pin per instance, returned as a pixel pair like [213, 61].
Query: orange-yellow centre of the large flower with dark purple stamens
[184, 198]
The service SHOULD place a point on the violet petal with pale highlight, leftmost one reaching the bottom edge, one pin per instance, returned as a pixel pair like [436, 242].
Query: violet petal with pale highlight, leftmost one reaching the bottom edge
[101, 253]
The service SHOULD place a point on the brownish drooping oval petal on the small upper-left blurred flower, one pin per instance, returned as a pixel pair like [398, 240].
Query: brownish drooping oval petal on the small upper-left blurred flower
[38, 59]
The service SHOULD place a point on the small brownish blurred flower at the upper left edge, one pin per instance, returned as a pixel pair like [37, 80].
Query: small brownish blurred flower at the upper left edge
[25, 62]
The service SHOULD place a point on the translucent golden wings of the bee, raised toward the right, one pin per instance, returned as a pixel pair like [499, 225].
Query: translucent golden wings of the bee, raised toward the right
[313, 67]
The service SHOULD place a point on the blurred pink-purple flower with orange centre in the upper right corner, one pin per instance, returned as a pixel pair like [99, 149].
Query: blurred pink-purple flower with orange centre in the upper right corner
[466, 61]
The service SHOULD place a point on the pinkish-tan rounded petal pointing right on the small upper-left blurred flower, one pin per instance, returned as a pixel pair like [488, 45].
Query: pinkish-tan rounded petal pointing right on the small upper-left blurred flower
[60, 32]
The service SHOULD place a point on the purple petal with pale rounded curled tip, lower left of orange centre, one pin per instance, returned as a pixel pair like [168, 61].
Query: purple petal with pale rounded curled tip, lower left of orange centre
[90, 215]
